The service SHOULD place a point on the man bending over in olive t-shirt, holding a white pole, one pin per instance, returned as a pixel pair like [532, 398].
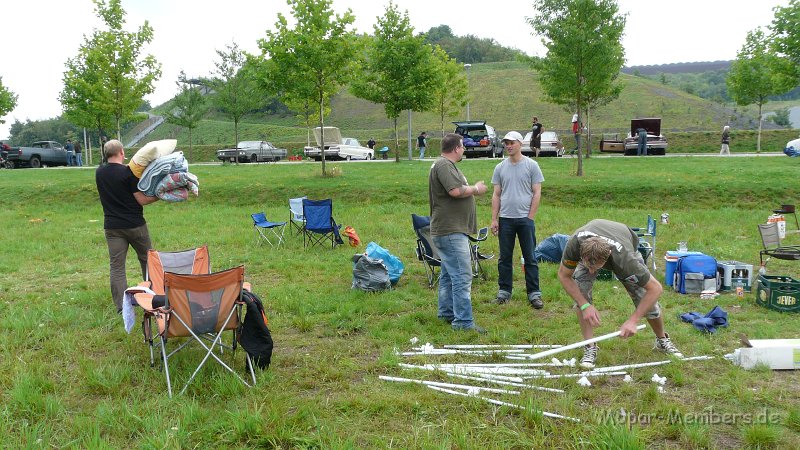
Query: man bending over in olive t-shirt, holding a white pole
[613, 246]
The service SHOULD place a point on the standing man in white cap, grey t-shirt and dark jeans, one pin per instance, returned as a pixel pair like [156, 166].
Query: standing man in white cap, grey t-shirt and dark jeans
[517, 184]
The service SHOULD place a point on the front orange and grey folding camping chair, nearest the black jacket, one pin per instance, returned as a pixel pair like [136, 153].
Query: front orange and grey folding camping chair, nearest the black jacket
[199, 307]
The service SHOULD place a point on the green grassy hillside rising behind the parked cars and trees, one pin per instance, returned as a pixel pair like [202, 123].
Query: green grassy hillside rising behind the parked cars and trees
[505, 94]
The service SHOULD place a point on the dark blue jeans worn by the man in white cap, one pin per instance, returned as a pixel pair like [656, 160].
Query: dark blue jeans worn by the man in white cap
[523, 229]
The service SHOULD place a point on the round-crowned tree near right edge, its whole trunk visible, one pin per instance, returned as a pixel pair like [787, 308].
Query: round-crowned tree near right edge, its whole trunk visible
[756, 74]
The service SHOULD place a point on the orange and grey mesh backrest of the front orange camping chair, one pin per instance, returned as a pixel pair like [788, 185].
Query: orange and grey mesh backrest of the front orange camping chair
[203, 301]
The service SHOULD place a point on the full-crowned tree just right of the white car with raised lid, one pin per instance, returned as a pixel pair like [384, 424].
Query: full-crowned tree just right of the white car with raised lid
[400, 70]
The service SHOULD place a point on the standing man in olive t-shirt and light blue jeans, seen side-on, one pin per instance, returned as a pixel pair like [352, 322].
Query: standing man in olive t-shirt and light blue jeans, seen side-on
[452, 218]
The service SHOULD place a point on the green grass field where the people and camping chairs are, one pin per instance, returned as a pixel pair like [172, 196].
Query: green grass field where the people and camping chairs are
[71, 377]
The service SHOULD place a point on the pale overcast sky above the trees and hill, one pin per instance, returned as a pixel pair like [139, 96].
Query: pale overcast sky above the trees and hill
[38, 36]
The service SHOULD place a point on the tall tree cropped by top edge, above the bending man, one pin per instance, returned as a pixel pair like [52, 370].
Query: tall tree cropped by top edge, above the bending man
[584, 52]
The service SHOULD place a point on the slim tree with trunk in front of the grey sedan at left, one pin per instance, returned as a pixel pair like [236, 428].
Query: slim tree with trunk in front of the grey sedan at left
[236, 92]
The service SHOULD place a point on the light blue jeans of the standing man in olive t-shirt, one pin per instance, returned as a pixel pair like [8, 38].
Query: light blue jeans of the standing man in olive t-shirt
[455, 279]
